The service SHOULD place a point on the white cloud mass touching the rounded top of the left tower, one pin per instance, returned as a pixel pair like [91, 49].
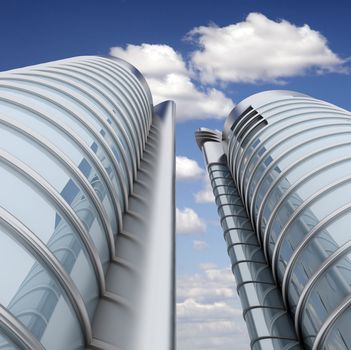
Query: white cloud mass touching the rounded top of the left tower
[169, 79]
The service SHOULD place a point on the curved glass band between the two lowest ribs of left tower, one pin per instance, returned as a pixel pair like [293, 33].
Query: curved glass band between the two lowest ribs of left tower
[35, 299]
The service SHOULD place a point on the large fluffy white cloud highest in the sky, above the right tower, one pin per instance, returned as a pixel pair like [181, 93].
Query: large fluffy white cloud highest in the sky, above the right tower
[260, 50]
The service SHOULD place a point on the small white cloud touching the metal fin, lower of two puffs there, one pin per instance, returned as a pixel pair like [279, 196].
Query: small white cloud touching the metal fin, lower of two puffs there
[188, 221]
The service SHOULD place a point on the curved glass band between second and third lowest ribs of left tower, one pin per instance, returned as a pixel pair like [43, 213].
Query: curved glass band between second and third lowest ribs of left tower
[51, 227]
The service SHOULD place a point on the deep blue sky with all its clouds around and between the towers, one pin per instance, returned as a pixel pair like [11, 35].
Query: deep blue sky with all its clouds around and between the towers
[207, 55]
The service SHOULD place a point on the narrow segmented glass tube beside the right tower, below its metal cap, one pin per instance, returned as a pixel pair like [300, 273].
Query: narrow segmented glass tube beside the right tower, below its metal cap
[260, 297]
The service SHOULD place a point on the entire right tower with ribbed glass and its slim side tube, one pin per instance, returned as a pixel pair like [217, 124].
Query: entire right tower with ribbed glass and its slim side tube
[281, 176]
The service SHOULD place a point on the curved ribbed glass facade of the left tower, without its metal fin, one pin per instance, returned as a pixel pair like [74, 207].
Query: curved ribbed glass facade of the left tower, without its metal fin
[72, 135]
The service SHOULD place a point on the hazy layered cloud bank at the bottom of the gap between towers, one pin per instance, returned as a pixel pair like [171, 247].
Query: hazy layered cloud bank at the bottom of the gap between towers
[208, 311]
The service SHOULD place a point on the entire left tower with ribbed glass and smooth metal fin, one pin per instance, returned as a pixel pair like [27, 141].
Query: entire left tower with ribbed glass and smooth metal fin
[86, 208]
